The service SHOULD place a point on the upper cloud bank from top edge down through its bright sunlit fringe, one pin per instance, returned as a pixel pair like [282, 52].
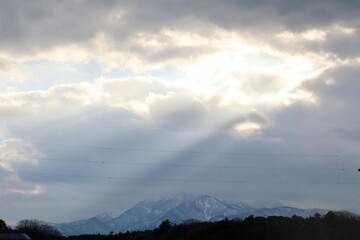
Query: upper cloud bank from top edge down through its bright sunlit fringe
[122, 35]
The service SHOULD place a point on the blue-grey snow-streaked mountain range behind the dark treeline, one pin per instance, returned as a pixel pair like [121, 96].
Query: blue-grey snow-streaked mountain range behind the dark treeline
[148, 214]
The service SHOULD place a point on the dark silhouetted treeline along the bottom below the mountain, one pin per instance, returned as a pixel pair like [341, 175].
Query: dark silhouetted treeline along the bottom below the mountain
[331, 226]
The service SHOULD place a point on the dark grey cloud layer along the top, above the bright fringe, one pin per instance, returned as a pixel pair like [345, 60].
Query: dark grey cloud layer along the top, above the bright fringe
[30, 27]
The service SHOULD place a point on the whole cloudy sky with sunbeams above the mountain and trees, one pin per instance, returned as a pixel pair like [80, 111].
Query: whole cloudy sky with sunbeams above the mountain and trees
[106, 103]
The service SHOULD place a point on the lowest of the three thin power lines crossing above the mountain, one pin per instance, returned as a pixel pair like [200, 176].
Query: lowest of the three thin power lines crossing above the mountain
[178, 180]
